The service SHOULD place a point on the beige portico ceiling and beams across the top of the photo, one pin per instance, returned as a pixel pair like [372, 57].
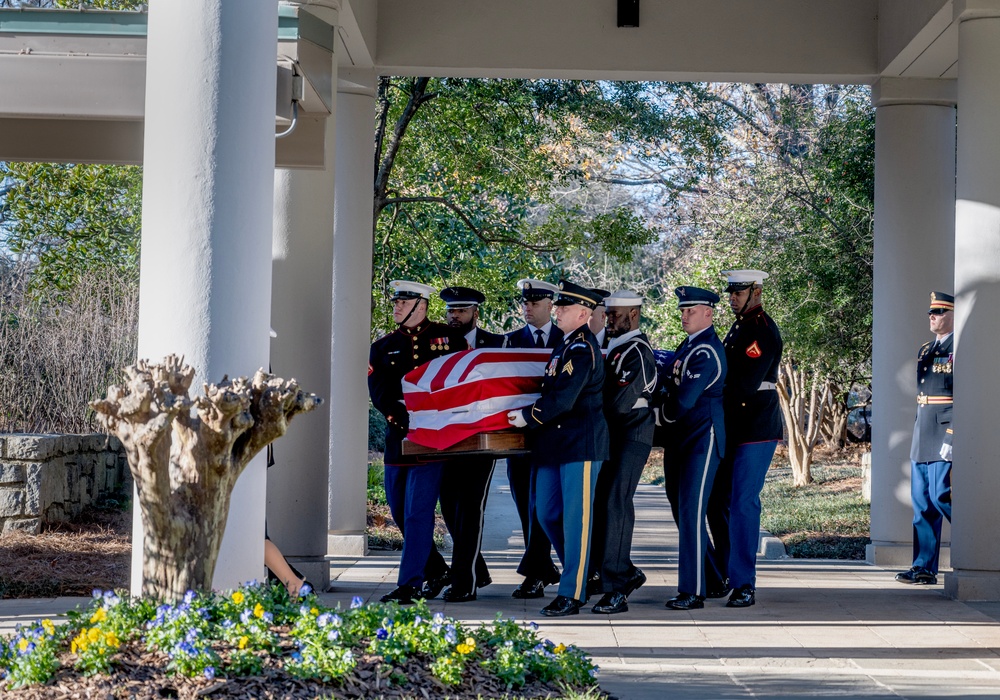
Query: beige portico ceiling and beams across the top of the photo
[91, 81]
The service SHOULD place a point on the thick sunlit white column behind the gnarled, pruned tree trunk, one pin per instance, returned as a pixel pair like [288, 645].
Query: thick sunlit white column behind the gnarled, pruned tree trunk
[205, 283]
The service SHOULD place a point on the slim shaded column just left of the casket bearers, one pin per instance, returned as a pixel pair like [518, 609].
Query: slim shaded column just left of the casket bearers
[352, 284]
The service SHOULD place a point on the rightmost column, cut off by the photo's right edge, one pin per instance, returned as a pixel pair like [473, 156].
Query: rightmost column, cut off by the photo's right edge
[975, 553]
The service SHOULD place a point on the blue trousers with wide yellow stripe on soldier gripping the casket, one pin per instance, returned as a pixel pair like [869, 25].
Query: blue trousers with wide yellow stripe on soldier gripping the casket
[564, 499]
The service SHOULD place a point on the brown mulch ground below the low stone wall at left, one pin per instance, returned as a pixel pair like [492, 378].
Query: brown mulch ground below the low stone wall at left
[68, 559]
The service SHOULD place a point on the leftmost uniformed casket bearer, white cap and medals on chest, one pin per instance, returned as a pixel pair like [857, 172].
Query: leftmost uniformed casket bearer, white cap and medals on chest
[411, 487]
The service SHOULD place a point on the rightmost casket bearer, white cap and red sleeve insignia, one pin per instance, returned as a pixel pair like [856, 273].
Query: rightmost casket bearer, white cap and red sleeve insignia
[753, 429]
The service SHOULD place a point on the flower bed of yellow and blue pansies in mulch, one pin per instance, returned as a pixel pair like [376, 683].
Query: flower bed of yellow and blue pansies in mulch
[257, 642]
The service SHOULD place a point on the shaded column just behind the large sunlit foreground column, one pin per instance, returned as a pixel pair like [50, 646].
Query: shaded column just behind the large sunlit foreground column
[301, 307]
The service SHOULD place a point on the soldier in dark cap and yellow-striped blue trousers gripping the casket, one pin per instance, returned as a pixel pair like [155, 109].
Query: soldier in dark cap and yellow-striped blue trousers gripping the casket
[568, 436]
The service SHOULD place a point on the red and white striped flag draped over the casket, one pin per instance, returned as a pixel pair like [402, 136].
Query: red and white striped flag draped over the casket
[458, 395]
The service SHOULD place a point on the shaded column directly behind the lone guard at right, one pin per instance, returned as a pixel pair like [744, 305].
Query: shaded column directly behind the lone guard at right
[914, 254]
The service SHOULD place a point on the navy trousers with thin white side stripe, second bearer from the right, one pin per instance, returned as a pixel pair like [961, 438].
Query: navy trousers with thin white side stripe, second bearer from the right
[688, 473]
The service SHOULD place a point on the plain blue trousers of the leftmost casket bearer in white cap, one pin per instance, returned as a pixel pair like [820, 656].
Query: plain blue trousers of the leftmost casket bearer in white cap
[412, 491]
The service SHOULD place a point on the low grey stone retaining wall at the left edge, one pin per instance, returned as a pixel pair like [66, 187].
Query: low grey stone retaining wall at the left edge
[48, 478]
